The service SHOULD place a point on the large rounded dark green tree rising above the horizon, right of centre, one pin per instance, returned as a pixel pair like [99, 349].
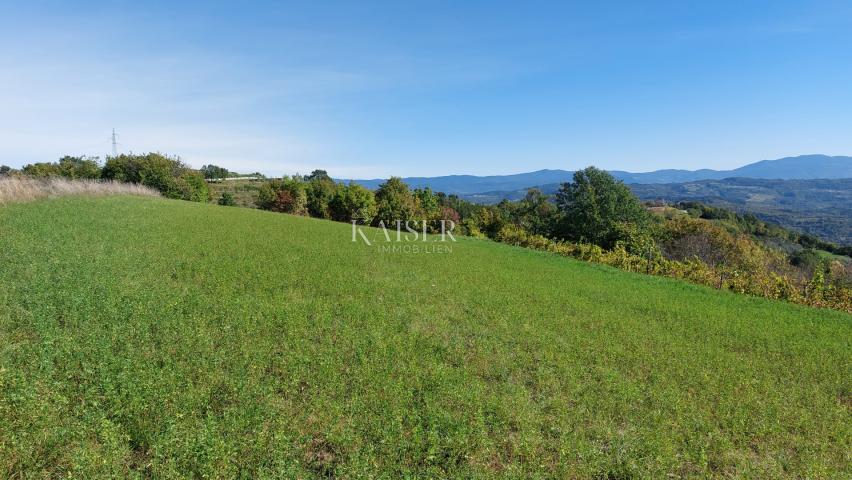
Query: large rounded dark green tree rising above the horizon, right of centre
[599, 209]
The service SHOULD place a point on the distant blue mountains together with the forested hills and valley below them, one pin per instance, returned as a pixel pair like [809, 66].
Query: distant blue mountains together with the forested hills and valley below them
[811, 193]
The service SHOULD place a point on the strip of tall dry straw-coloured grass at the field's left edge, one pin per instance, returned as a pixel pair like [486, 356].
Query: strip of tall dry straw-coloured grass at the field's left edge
[26, 189]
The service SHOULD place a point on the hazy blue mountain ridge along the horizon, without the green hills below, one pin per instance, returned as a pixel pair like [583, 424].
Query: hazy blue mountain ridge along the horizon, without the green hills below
[801, 168]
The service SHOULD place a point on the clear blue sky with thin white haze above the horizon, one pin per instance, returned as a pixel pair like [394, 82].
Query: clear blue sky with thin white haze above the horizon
[371, 89]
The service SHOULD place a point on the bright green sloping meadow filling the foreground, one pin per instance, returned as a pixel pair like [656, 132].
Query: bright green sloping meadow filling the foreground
[157, 338]
